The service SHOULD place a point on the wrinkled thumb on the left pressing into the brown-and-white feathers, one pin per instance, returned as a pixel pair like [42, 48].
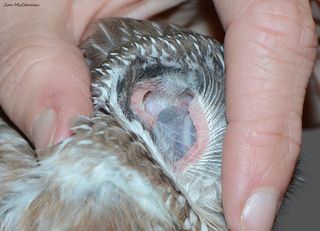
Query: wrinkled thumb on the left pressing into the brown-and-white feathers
[44, 82]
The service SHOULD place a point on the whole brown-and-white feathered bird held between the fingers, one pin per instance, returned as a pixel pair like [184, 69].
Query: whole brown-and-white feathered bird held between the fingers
[149, 156]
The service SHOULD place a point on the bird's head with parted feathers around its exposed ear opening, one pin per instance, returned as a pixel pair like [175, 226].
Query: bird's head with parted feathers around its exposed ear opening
[167, 86]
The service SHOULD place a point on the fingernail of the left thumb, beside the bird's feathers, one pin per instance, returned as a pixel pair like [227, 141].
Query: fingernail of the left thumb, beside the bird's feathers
[43, 128]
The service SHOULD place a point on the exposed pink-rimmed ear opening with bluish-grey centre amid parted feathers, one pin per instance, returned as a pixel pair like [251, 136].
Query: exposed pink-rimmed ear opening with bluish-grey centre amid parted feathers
[176, 118]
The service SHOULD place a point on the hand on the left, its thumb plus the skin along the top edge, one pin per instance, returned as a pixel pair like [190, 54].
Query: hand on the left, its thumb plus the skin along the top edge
[44, 82]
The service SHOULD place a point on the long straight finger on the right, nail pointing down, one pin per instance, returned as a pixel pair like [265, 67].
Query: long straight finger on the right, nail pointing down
[269, 53]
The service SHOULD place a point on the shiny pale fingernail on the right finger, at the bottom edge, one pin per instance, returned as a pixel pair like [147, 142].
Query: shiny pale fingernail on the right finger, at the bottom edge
[260, 210]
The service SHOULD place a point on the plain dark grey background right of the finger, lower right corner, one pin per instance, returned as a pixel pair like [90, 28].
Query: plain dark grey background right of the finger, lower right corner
[301, 212]
